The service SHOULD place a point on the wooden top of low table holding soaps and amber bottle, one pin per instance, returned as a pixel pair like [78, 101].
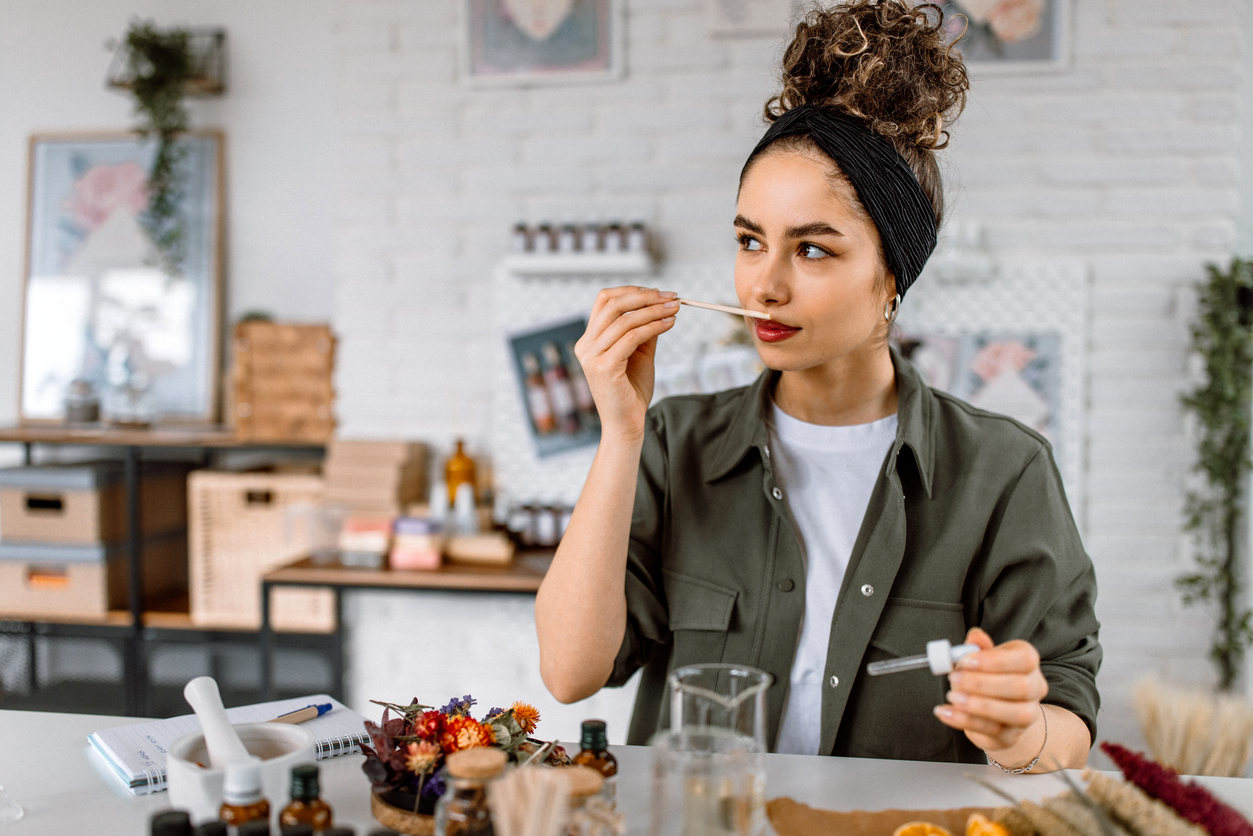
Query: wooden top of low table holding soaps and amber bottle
[524, 575]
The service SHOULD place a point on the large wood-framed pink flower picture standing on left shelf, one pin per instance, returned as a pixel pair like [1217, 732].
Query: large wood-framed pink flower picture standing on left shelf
[121, 303]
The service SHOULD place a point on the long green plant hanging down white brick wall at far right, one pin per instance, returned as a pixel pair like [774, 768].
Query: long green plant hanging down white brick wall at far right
[1222, 335]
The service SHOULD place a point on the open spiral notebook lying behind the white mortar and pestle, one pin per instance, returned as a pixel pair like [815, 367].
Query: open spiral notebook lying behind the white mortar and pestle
[137, 754]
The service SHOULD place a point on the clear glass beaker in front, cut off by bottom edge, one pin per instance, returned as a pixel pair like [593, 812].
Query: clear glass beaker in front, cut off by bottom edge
[707, 781]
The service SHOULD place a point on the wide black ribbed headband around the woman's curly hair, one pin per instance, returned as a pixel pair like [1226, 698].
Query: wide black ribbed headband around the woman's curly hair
[885, 184]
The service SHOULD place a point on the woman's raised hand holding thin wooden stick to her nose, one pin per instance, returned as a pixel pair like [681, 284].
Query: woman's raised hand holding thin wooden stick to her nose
[617, 354]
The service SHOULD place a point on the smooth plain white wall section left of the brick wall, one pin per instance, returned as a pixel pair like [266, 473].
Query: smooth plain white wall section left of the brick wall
[279, 118]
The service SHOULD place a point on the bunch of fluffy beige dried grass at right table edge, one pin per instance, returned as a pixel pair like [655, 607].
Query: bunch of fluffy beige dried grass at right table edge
[1195, 733]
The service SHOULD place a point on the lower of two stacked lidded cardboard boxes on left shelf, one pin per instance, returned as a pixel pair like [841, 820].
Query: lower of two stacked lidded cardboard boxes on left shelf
[42, 580]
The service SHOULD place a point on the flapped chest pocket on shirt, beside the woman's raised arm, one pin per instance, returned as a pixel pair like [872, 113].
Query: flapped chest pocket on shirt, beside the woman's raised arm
[700, 617]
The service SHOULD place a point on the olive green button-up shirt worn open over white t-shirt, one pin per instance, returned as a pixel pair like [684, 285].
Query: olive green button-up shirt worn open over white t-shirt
[968, 527]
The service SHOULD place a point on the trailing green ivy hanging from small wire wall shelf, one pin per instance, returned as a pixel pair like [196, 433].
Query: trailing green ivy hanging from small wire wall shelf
[160, 65]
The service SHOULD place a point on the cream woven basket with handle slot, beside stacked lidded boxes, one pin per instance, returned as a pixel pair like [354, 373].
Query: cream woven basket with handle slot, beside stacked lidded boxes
[239, 532]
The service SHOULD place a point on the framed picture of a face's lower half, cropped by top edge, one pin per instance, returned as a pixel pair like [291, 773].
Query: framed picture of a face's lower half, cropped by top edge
[542, 42]
